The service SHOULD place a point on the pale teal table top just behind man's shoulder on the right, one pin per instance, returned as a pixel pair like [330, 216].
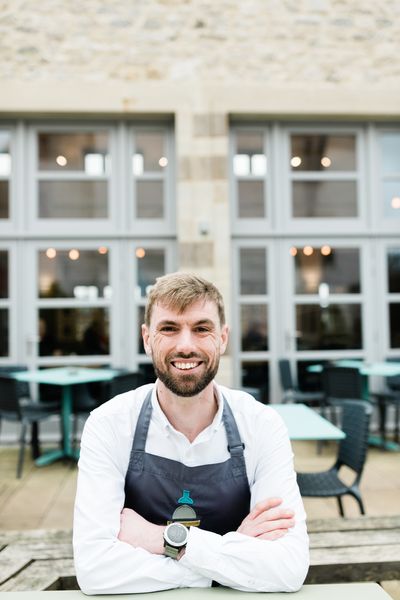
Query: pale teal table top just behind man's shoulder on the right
[304, 423]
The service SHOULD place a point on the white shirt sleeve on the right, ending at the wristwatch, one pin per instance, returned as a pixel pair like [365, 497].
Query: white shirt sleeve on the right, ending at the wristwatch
[247, 563]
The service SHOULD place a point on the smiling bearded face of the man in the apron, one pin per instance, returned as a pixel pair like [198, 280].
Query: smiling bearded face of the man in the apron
[185, 347]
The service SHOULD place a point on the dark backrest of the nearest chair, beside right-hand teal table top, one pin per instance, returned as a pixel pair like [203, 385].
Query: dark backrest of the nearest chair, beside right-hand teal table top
[355, 423]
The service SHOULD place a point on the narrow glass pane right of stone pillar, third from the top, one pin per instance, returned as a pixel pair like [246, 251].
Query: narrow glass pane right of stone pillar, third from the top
[253, 271]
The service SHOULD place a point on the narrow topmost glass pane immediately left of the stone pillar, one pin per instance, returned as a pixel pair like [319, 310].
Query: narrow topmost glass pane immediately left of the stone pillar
[150, 152]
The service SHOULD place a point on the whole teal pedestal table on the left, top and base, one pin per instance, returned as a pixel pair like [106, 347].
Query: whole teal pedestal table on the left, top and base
[65, 377]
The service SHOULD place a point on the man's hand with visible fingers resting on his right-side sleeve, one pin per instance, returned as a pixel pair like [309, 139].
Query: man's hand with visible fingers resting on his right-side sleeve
[266, 521]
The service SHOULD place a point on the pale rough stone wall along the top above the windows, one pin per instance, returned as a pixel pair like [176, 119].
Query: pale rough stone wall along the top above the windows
[329, 42]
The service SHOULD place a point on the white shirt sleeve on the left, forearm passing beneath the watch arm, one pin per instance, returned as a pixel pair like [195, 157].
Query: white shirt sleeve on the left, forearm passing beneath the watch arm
[103, 564]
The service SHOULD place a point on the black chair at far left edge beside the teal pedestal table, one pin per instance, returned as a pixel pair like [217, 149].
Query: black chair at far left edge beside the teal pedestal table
[21, 409]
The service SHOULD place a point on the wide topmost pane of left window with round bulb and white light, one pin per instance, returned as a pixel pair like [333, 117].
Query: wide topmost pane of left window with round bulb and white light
[86, 152]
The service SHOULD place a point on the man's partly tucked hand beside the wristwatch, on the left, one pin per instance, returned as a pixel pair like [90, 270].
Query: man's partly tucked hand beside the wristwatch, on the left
[140, 533]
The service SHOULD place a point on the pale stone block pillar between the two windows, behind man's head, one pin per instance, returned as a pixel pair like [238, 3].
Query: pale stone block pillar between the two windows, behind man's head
[202, 203]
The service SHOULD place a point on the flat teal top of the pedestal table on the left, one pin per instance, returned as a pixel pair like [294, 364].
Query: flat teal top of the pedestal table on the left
[65, 375]
